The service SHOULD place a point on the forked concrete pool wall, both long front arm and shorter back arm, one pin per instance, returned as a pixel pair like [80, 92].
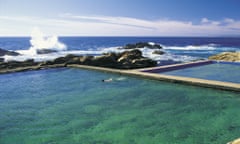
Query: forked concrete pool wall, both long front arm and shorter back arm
[175, 79]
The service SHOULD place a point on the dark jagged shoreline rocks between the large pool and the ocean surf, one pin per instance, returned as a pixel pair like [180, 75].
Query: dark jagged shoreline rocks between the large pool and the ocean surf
[132, 58]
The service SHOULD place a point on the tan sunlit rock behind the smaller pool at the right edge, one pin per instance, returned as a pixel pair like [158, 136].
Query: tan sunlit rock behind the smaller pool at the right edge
[226, 56]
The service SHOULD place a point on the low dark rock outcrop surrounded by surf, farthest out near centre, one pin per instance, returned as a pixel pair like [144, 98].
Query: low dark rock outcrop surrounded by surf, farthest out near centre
[142, 45]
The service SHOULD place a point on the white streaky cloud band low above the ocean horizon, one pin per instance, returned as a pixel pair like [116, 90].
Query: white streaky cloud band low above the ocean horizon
[78, 25]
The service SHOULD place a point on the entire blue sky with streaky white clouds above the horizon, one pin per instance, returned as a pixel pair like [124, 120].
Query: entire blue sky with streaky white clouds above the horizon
[121, 17]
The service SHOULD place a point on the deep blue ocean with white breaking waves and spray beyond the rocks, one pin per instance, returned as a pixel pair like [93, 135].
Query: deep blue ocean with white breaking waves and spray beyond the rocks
[177, 49]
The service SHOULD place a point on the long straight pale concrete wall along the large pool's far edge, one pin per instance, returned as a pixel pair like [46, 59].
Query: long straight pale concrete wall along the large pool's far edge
[160, 77]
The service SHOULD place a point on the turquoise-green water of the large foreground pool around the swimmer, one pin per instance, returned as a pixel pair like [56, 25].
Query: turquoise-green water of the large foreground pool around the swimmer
[72, 106]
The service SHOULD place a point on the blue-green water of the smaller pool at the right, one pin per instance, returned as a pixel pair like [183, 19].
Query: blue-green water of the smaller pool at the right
[215, 71]
